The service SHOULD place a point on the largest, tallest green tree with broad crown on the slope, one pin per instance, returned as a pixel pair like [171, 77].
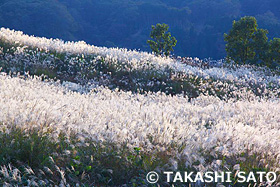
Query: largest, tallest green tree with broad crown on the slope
[246, 43]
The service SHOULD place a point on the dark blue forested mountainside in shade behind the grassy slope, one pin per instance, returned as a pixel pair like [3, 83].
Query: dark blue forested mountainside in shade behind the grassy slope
[198, 25]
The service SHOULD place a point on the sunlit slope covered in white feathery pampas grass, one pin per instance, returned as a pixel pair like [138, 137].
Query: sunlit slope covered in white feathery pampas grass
[107, 116]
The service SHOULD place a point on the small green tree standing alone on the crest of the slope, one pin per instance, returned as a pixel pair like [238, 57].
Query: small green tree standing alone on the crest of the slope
[162, 42]
